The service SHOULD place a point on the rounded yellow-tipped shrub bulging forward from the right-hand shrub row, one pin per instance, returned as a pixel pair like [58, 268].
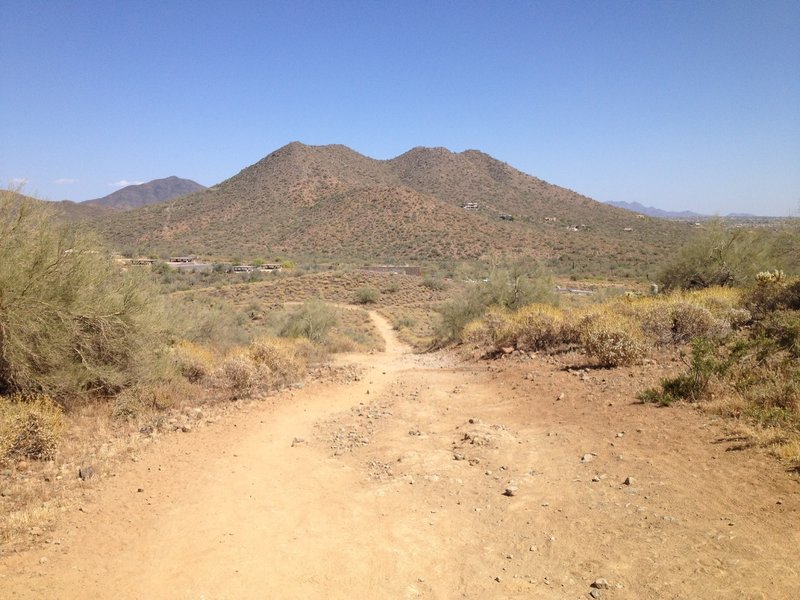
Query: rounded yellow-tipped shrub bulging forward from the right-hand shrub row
[612, 340]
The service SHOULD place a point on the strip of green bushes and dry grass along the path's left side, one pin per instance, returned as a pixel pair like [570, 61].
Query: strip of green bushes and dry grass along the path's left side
[91, 351]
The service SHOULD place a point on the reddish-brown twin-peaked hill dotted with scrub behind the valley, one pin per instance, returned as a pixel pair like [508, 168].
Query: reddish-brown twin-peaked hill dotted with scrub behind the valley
[330, 203]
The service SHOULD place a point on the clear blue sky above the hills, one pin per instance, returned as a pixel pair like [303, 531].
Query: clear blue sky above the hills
[682, 105]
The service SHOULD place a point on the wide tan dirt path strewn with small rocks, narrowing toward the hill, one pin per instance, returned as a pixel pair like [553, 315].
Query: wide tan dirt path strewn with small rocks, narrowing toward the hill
[397, 491]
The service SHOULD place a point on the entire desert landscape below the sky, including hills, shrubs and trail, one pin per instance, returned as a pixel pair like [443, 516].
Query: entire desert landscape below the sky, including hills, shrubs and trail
[433, 376]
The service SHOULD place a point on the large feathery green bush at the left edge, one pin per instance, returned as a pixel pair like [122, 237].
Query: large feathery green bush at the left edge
[71, 321]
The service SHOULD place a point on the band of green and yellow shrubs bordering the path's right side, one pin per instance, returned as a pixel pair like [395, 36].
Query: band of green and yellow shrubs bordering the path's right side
[734, 327]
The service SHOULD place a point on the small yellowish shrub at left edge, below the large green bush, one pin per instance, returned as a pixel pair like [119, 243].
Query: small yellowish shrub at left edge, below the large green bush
[30, 427]
